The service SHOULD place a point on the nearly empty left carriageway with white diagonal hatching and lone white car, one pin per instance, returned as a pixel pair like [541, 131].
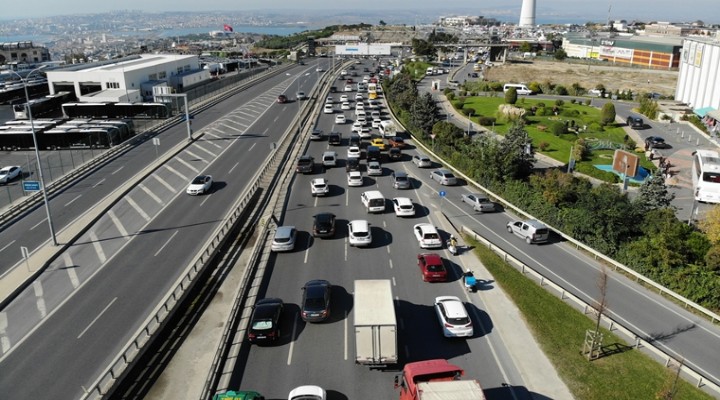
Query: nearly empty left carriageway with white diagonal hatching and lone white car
[64, 329]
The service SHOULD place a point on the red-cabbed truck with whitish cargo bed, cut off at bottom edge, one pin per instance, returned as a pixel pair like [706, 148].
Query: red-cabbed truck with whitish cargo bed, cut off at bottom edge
[436, 380]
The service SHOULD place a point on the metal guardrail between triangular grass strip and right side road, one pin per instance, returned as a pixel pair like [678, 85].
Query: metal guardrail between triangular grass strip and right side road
[612, 325]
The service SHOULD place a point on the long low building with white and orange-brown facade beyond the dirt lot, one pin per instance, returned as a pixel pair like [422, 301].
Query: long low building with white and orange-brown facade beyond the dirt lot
[641, 51]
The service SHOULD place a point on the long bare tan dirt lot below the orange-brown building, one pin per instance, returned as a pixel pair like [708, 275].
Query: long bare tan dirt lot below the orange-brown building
[588, 76]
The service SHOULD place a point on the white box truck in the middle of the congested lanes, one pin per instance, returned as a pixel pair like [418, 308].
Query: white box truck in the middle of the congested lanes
[375, 324]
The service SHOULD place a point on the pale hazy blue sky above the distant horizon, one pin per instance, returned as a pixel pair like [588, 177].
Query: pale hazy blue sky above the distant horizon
[547, 10]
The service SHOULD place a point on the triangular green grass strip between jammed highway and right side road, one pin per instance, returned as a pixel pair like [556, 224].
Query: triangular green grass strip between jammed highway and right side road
[624, 373]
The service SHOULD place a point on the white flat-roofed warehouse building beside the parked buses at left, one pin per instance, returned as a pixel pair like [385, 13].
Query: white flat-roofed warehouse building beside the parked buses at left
[130, 79]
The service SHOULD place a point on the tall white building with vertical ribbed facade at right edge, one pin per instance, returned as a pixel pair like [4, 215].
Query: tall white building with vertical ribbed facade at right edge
[699, 80]
